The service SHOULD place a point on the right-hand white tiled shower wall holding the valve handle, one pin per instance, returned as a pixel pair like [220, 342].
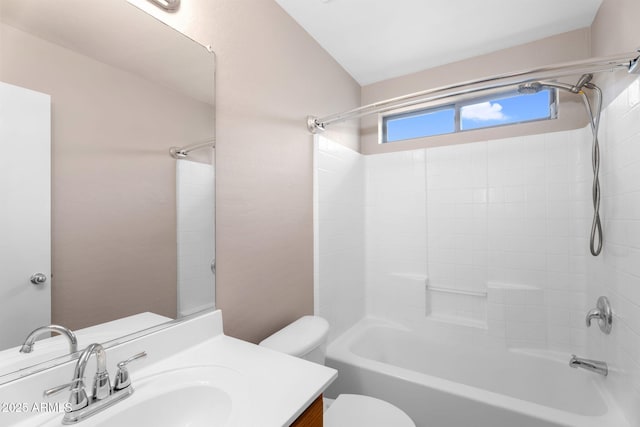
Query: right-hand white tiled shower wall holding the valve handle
[616, 272]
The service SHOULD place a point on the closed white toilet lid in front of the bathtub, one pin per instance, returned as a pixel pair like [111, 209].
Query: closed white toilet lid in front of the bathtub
[354, 410]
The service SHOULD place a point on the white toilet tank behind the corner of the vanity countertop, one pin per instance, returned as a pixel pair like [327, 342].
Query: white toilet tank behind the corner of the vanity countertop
[305, 338]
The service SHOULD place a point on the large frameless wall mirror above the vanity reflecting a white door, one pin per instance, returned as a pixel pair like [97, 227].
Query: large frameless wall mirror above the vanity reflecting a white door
[105, 90]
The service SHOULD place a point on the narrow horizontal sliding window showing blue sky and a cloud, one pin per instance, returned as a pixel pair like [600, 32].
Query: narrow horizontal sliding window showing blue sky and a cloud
[483, 112]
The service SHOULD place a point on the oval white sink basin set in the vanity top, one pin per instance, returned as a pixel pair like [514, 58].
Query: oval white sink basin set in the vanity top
[194, 397]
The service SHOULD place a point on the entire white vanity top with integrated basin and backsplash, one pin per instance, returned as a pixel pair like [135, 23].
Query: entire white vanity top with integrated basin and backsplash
[193, 376]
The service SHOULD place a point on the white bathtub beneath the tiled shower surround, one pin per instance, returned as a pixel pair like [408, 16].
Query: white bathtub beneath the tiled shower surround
[456, 385]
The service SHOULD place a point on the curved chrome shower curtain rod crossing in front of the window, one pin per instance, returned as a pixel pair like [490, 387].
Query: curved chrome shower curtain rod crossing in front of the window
[629, 61]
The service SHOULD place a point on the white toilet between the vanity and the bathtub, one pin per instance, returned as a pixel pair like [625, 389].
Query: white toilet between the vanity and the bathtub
[307, 338]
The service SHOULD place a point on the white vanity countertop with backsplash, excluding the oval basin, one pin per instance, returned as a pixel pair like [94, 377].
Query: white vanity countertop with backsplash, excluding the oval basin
[269, 388]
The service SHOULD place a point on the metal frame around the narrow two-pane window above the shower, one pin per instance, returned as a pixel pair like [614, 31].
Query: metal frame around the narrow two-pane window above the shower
[457, 106]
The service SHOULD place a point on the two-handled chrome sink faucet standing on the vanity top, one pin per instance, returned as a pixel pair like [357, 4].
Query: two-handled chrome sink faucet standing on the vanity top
[102, 396]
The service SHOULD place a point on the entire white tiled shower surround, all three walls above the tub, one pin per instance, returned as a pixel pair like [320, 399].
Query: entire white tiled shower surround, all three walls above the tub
[528, 266]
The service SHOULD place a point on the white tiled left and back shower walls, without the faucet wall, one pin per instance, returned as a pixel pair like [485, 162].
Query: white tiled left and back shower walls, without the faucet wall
[499, 228]
